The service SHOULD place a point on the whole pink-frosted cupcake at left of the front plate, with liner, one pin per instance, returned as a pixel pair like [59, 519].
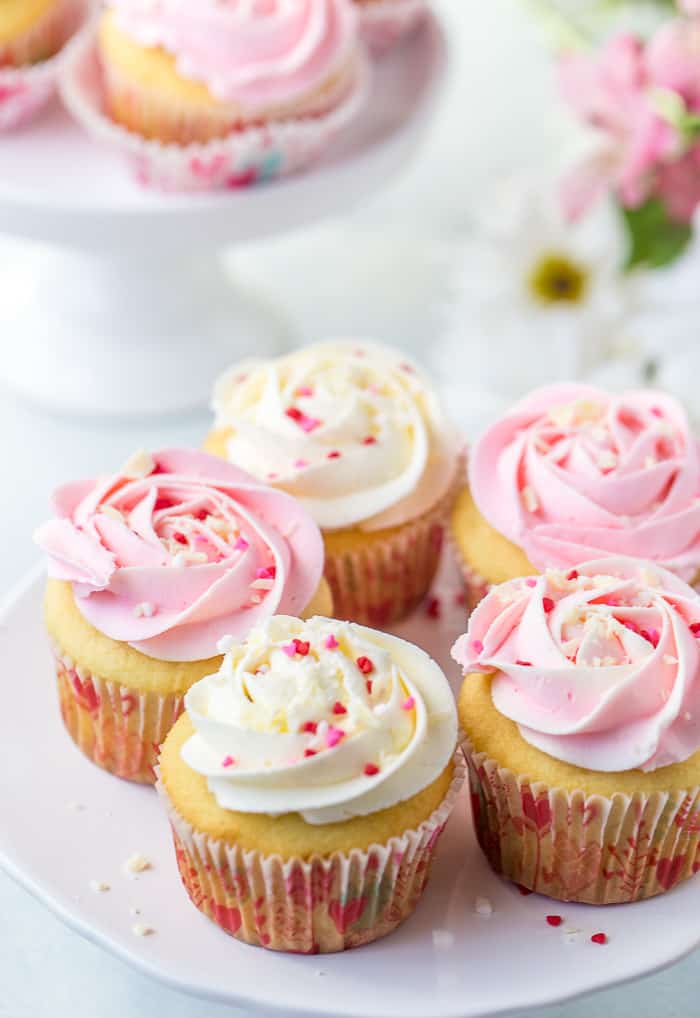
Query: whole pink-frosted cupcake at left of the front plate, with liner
[149, 570]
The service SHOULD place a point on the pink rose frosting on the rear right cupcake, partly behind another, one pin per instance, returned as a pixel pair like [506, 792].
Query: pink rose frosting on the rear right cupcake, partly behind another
[574, 473]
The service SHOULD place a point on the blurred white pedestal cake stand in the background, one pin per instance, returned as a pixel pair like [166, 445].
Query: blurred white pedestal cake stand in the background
[130, 311]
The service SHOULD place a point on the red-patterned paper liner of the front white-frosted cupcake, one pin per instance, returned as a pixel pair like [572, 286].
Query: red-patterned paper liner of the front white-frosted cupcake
[316, 907]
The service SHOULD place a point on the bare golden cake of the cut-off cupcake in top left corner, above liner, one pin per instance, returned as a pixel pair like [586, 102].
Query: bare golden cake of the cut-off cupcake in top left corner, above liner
[33, 31]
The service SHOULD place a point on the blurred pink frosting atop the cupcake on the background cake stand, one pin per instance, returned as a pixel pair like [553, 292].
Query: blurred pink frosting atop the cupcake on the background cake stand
[252, 52]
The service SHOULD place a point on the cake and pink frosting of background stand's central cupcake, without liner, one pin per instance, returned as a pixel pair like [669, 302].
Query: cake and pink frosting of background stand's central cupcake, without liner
[194, 73]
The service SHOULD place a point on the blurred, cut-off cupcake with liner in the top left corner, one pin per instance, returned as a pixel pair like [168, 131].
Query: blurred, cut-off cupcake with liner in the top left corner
[33, 34]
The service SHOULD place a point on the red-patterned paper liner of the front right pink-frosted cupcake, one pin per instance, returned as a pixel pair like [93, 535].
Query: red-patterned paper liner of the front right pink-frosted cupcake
[580, 849]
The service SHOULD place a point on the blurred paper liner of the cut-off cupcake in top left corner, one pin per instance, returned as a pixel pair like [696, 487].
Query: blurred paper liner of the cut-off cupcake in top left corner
[27, 88]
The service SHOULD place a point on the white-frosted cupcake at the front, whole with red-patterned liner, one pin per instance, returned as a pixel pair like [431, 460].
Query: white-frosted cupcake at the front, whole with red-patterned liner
[309, 782]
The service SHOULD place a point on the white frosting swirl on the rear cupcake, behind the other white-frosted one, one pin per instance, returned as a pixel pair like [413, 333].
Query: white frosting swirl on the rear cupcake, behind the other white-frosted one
[354, 430]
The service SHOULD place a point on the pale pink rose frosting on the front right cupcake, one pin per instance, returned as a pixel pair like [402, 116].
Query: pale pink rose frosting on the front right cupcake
[599, 667]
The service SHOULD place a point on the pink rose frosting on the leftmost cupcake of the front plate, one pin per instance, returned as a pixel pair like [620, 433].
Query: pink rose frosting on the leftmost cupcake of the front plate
[181, 549]
